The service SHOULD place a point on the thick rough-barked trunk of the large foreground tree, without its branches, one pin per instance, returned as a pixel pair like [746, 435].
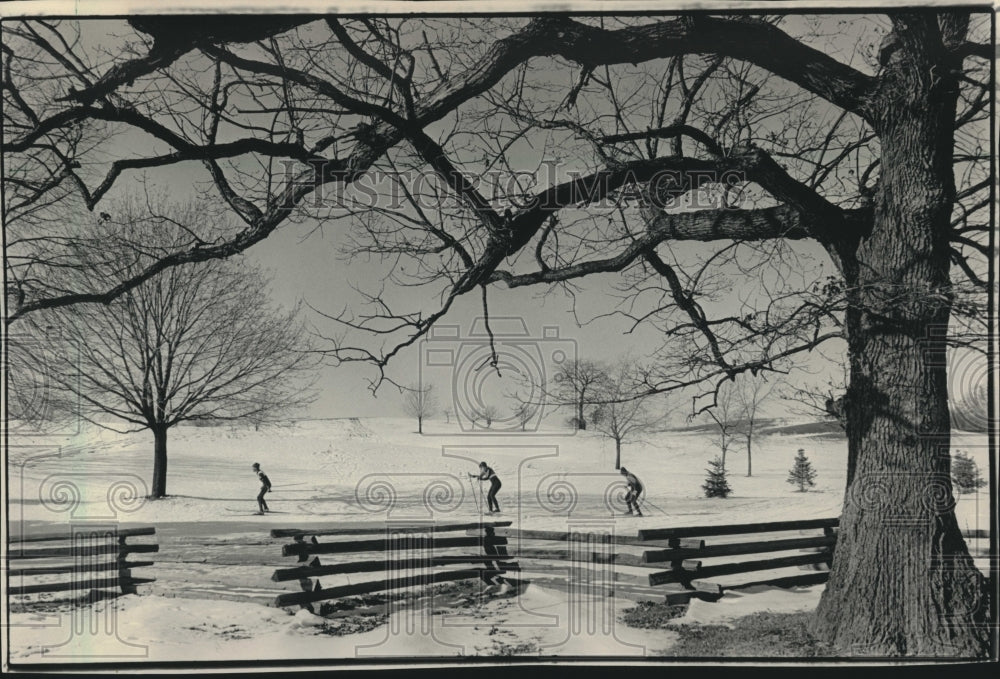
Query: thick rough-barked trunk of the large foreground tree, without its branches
[902, 581]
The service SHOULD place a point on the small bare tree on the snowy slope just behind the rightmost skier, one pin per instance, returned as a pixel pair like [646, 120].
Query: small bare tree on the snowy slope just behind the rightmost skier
[625, 411]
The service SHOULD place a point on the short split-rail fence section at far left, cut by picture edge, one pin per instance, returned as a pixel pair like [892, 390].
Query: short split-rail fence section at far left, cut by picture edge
[84, 561]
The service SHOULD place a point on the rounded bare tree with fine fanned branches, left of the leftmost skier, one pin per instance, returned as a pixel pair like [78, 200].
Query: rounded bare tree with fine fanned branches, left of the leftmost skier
[197, 343]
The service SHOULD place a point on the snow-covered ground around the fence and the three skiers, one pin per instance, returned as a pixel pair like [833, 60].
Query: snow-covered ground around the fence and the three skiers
[213, 590]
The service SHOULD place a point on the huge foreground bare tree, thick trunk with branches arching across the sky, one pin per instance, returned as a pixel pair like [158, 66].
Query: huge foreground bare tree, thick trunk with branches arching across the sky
[850, 142]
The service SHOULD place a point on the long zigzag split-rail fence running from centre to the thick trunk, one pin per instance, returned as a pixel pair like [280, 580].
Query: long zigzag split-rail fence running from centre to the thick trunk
[692, 561]
